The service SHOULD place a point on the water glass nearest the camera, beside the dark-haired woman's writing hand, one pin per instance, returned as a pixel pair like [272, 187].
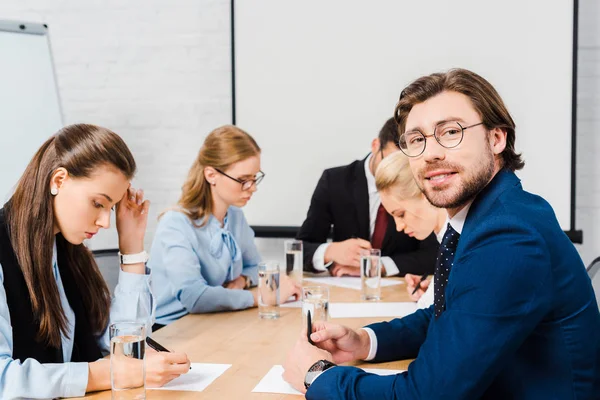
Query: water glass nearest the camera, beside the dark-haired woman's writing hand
[127, 361]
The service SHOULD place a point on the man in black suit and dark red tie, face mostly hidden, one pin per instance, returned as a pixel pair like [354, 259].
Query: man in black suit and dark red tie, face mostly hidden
[346, 197]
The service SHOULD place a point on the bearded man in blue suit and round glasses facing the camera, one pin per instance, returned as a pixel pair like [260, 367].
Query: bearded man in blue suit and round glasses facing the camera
[514, 316]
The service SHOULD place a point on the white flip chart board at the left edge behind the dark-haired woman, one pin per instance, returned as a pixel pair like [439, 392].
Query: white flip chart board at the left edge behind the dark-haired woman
[29, 103]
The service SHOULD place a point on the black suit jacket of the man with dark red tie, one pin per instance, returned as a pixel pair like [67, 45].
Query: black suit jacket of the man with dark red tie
[342, 199]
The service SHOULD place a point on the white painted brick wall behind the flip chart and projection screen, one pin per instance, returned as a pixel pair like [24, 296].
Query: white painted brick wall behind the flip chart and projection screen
[158, 73]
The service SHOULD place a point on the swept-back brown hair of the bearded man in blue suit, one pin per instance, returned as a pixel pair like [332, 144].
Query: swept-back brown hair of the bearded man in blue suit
[483, 96]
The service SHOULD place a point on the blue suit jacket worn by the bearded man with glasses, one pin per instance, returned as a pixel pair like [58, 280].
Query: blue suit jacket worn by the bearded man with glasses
[521, 319]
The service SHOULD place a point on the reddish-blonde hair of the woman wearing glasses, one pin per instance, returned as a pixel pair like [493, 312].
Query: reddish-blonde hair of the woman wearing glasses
[222, 147]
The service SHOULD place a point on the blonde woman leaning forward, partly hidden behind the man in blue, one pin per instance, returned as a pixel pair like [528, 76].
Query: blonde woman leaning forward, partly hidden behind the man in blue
[413, 214]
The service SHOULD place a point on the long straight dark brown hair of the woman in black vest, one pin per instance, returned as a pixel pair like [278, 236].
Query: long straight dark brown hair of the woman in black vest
[80, 149]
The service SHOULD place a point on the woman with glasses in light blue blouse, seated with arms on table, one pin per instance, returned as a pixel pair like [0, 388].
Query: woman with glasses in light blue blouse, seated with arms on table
[203, 251]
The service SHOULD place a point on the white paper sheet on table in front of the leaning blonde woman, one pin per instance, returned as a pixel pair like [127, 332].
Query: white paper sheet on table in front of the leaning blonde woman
[371, 309]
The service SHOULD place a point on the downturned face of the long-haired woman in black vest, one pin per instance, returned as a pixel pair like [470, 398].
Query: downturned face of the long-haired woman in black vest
[83, 205]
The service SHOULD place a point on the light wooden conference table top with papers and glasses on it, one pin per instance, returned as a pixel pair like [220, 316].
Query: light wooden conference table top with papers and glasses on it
[251, 345]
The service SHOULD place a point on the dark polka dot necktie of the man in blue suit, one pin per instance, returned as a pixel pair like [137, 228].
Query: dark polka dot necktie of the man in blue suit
[443, 265]
